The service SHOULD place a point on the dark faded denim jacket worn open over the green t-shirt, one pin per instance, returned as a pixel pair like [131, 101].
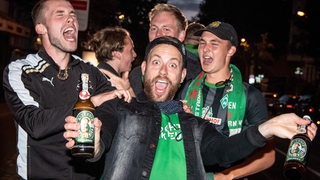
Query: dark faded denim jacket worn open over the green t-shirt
[130, 134]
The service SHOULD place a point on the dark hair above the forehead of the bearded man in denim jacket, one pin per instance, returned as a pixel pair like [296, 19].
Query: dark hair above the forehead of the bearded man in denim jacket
[167, 40]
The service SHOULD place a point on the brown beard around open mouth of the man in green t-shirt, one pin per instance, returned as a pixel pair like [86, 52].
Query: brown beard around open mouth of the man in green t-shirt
[148, 90]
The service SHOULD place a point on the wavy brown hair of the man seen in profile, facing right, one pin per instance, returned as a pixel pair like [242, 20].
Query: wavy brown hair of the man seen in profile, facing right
[107, 40]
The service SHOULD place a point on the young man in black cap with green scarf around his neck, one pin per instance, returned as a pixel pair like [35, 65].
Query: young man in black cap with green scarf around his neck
[219, 95]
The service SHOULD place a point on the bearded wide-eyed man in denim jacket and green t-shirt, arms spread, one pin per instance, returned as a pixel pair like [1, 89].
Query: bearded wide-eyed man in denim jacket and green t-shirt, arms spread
[153, 138]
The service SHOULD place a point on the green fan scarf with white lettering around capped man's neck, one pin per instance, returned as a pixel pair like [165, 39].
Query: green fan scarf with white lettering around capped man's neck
[234, 99]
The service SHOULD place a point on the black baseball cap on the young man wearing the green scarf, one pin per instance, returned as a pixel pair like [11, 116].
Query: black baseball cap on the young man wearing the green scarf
[221, 29]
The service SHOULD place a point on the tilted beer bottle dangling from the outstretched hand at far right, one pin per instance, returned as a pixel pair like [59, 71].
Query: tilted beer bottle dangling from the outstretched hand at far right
[297, 155]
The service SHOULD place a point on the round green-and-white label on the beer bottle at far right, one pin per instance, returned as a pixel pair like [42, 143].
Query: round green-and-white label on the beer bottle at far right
[297, 150]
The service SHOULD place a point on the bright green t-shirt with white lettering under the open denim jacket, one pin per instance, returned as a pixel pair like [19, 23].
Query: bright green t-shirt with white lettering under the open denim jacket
[169, 161]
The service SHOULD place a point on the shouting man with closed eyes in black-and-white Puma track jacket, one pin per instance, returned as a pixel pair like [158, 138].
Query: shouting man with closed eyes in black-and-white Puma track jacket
[41, 90]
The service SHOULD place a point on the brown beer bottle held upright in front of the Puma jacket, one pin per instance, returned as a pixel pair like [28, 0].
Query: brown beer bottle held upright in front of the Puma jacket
[84, 112]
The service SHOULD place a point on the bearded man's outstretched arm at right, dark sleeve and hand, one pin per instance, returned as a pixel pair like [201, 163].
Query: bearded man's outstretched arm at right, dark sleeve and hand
[230, 150]
